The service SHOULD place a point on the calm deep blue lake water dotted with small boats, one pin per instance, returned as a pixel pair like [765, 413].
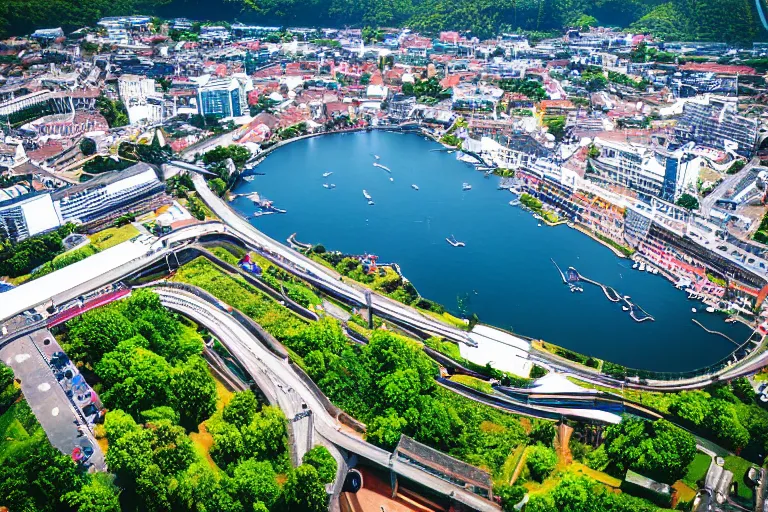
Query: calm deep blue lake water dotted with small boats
[504, 274]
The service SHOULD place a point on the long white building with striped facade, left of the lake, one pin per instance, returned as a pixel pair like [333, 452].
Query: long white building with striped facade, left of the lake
[110, 195]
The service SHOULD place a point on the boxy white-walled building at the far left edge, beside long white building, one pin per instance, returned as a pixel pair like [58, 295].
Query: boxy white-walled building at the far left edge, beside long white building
[27, 215]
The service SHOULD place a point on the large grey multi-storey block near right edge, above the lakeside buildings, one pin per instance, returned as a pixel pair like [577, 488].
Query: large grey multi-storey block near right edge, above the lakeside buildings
[717, 125]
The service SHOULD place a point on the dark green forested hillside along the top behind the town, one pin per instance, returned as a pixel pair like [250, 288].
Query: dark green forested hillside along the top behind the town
[709, 20]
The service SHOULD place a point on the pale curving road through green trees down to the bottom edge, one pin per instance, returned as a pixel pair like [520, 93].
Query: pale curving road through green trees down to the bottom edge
[281, 384]
